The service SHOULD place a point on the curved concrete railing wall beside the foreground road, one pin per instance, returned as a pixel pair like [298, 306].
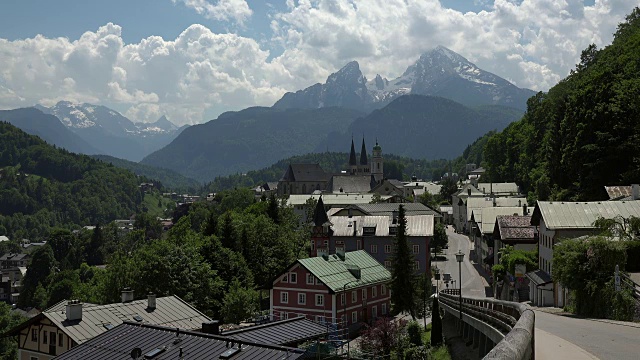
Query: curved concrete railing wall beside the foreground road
[508, 325]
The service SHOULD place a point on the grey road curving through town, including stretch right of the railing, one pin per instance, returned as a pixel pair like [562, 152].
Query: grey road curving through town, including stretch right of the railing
[558, 337]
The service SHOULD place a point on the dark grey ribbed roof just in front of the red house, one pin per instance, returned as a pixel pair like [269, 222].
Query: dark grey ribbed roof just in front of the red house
[282, 332]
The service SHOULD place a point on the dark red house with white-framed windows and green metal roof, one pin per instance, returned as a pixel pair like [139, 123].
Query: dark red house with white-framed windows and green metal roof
[326, 288]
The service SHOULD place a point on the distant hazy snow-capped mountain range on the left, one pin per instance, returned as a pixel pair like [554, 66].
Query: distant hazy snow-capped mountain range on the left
[111, 132]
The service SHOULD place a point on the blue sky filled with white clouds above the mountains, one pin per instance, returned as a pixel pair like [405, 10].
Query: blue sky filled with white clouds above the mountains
[191, 60]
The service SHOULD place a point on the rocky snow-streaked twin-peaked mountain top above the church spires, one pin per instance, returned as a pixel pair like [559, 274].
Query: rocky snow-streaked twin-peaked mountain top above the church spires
[439, 72]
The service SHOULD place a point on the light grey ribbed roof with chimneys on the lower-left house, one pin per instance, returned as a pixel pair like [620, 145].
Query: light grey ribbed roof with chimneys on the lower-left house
[170, 311]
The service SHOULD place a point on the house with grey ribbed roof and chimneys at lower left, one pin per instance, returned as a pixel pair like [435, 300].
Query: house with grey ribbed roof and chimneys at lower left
[68, 324]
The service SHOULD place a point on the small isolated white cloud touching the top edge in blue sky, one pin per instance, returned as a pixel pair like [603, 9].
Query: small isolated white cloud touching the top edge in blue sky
[222, 10]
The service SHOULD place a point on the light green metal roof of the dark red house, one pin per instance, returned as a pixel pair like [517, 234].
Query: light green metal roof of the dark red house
[334, 272]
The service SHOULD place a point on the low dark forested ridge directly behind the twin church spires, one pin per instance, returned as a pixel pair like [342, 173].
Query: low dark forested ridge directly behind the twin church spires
[395, 167]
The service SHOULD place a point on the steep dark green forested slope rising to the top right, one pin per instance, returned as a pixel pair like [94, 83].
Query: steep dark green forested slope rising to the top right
[584, 133]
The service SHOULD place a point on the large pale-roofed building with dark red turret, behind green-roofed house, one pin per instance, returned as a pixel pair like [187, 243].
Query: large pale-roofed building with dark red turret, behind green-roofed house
[373, 233]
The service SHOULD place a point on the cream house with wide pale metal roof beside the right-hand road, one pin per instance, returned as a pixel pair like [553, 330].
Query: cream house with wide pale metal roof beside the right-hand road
[565, 220]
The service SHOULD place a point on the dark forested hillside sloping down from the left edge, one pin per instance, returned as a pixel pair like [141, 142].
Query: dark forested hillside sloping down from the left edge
[42, 186]
